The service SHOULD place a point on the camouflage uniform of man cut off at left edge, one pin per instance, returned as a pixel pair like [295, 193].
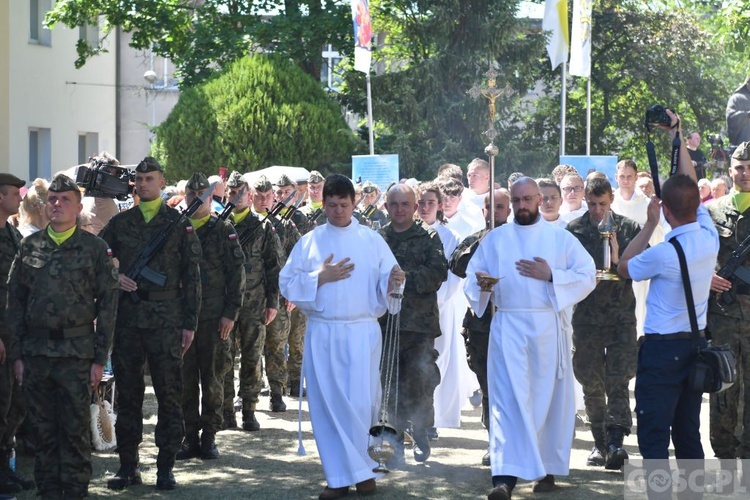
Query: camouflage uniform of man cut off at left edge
[12, 402]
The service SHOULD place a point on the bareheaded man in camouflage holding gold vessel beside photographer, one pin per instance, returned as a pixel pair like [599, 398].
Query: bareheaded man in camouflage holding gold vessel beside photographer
[604, 333]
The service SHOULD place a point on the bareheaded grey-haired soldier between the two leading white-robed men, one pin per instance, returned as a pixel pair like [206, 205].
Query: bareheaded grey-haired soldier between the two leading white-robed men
[419, 253]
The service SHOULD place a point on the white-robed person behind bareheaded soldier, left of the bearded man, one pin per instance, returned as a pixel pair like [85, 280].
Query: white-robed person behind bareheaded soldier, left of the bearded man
[449, 394]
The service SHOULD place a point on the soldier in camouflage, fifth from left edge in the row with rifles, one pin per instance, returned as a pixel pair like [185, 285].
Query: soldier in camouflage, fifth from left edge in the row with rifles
[263, 261]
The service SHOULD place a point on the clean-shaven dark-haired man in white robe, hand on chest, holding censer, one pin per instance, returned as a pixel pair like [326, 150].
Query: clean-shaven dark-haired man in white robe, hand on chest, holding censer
[339, 275]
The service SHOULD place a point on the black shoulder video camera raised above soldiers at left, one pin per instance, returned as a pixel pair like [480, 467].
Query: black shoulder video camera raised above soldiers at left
[101, 178]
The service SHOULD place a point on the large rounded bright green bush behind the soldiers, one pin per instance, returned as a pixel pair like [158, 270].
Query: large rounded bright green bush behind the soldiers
[263, 110]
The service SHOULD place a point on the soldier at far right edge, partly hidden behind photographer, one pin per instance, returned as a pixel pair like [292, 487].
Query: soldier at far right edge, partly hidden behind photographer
[728, 319]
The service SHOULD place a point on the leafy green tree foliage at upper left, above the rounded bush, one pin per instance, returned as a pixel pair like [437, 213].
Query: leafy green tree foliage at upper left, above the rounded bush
[201, 37]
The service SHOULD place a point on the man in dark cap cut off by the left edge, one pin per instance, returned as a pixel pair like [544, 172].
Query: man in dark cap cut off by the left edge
[12, 403]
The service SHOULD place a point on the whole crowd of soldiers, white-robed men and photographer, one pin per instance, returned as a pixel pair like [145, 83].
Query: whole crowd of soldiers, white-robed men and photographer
[300, 282]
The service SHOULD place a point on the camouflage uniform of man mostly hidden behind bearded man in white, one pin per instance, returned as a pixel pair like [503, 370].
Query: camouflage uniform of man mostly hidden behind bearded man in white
[476, 330]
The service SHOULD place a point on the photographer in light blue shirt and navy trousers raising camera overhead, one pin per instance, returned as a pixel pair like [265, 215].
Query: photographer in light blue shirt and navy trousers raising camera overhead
[664, 402]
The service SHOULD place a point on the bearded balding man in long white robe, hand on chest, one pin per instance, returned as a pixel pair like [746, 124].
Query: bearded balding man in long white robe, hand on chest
[544, 271]
